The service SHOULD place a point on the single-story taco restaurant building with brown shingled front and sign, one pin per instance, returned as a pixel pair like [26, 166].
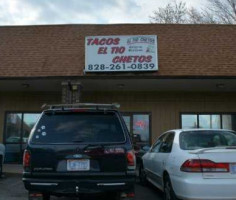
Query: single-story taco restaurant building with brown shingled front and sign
[163, 76]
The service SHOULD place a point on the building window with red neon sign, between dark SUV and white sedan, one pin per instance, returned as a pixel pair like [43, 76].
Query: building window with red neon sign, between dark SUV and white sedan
[139, 126]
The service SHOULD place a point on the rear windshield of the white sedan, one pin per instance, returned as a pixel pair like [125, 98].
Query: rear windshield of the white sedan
[190, 140]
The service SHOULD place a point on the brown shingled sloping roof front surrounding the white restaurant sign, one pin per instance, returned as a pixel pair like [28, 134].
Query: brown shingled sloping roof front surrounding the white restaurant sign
[58, 50]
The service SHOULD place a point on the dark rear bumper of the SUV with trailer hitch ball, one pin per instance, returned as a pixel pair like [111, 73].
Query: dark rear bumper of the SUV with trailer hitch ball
[78, 186]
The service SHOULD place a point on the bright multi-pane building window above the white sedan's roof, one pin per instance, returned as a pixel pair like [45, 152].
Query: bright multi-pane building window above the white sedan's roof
[209, 121]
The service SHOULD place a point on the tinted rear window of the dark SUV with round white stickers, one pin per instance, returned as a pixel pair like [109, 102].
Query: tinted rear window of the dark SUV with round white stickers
[78, 127]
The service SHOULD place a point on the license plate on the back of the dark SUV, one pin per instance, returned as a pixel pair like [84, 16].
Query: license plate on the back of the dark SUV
[78, 165]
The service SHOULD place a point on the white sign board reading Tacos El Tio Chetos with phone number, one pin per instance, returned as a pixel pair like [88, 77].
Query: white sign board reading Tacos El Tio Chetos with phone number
[121, 53]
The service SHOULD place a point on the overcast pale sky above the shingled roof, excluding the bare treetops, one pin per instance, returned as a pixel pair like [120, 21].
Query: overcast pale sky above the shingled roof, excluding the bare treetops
[27, 12]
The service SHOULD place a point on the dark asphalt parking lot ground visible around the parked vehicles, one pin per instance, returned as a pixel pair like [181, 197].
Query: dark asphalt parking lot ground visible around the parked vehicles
[11, 188]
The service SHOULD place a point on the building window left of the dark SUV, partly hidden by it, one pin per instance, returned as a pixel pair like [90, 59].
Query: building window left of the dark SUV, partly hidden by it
[18, 126]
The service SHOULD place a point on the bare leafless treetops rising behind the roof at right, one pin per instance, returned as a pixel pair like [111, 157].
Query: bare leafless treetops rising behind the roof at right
[217, 12]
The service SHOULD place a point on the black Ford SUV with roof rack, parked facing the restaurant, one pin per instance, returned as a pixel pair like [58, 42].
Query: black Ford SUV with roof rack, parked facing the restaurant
[80, 149]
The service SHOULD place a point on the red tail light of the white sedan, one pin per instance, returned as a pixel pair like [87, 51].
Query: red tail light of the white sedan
[203, 165]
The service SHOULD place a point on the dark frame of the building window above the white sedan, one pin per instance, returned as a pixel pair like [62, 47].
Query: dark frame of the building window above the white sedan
[204, 113]
